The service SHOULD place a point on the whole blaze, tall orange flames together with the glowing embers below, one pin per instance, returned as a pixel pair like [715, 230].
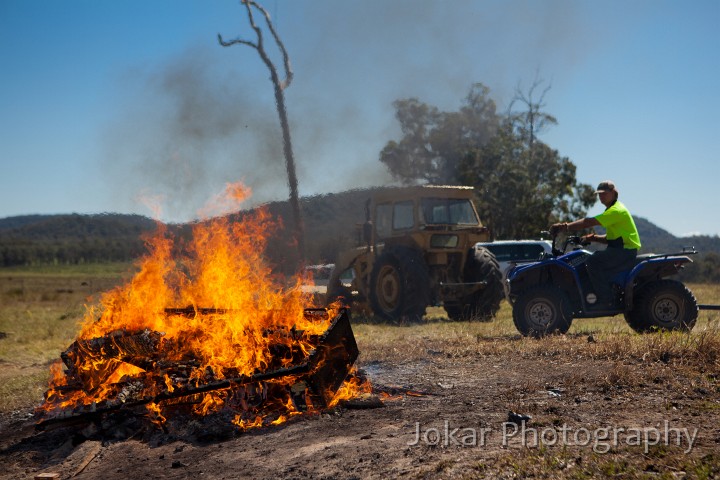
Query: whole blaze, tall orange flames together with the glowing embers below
[197, 313]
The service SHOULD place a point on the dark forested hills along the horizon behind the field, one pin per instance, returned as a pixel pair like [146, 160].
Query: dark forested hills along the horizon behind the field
[331, 224]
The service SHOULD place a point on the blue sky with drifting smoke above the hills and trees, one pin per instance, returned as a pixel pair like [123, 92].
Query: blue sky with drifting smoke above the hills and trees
[109, 106]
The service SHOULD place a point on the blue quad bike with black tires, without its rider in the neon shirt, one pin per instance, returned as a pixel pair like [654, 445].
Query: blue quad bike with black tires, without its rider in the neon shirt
[546, 295]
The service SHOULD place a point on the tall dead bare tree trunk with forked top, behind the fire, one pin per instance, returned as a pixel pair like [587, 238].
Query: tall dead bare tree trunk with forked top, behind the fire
[280, 86]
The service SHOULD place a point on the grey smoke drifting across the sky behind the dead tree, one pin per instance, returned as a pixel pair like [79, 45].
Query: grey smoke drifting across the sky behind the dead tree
[206, 117]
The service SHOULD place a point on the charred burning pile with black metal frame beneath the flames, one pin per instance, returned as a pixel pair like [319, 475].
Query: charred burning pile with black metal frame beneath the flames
[299, 382]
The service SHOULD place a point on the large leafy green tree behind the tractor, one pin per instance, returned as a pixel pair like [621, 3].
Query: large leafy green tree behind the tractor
[522, 184]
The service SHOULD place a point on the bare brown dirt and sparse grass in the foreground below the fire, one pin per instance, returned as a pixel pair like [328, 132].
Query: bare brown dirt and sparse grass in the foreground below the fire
[593, 412]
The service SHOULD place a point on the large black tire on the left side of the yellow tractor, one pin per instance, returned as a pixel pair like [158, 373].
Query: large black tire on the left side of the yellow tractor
[400, 286]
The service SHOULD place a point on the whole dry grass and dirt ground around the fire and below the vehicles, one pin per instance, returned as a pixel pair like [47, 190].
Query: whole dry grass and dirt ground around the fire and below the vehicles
[602, 401]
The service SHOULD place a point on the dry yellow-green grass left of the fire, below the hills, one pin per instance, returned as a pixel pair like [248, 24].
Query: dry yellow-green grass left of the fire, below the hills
[39, 313]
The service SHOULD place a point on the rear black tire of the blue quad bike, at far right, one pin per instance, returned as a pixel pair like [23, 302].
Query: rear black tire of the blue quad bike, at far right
[664, 305]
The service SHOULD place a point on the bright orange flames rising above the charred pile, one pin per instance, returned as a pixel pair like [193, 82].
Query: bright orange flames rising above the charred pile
[221, 268]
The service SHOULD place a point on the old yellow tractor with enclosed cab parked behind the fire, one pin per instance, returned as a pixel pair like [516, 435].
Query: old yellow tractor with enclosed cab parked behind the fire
[419, 248]
